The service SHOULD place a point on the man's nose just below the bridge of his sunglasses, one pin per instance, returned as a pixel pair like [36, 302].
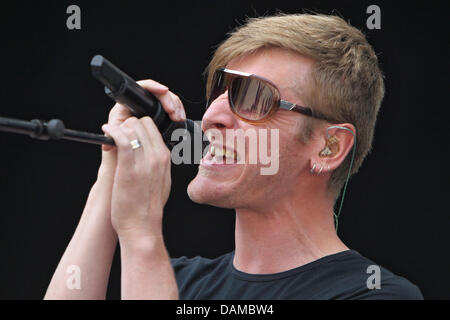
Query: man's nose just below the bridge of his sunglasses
[219, 114]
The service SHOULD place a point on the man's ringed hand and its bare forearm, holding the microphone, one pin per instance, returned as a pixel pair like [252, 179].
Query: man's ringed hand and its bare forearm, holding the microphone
[140, 190]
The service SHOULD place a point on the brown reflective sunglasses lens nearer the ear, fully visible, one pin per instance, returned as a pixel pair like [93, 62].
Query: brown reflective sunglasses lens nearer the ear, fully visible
[251, 98]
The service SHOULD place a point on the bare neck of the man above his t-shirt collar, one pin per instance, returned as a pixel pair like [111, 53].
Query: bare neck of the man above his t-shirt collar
[287, 235]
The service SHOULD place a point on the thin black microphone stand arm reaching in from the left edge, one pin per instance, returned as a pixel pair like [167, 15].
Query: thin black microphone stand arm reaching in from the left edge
[53, 129]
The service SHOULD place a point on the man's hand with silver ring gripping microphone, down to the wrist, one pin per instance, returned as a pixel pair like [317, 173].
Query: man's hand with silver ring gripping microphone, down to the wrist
[141, 176]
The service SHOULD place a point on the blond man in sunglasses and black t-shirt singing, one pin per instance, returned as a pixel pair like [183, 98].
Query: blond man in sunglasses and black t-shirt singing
[286, 242]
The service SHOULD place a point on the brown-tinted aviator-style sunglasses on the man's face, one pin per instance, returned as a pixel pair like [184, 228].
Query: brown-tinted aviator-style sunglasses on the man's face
[252, 98]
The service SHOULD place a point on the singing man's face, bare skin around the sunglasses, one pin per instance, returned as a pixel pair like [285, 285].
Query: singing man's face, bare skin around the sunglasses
[242, 185]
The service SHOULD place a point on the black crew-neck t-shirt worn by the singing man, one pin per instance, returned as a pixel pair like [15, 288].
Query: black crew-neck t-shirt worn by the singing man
[343, 275]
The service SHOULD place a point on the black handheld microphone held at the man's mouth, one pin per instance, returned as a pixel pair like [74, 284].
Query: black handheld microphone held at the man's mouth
[124, 90]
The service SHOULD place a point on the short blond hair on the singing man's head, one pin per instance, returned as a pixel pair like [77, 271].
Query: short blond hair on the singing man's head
[346, 83]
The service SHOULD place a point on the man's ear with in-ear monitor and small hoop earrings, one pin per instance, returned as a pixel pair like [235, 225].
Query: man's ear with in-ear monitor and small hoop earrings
[338, 141]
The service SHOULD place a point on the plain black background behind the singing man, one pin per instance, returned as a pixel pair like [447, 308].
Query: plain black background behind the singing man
[396, 209]
